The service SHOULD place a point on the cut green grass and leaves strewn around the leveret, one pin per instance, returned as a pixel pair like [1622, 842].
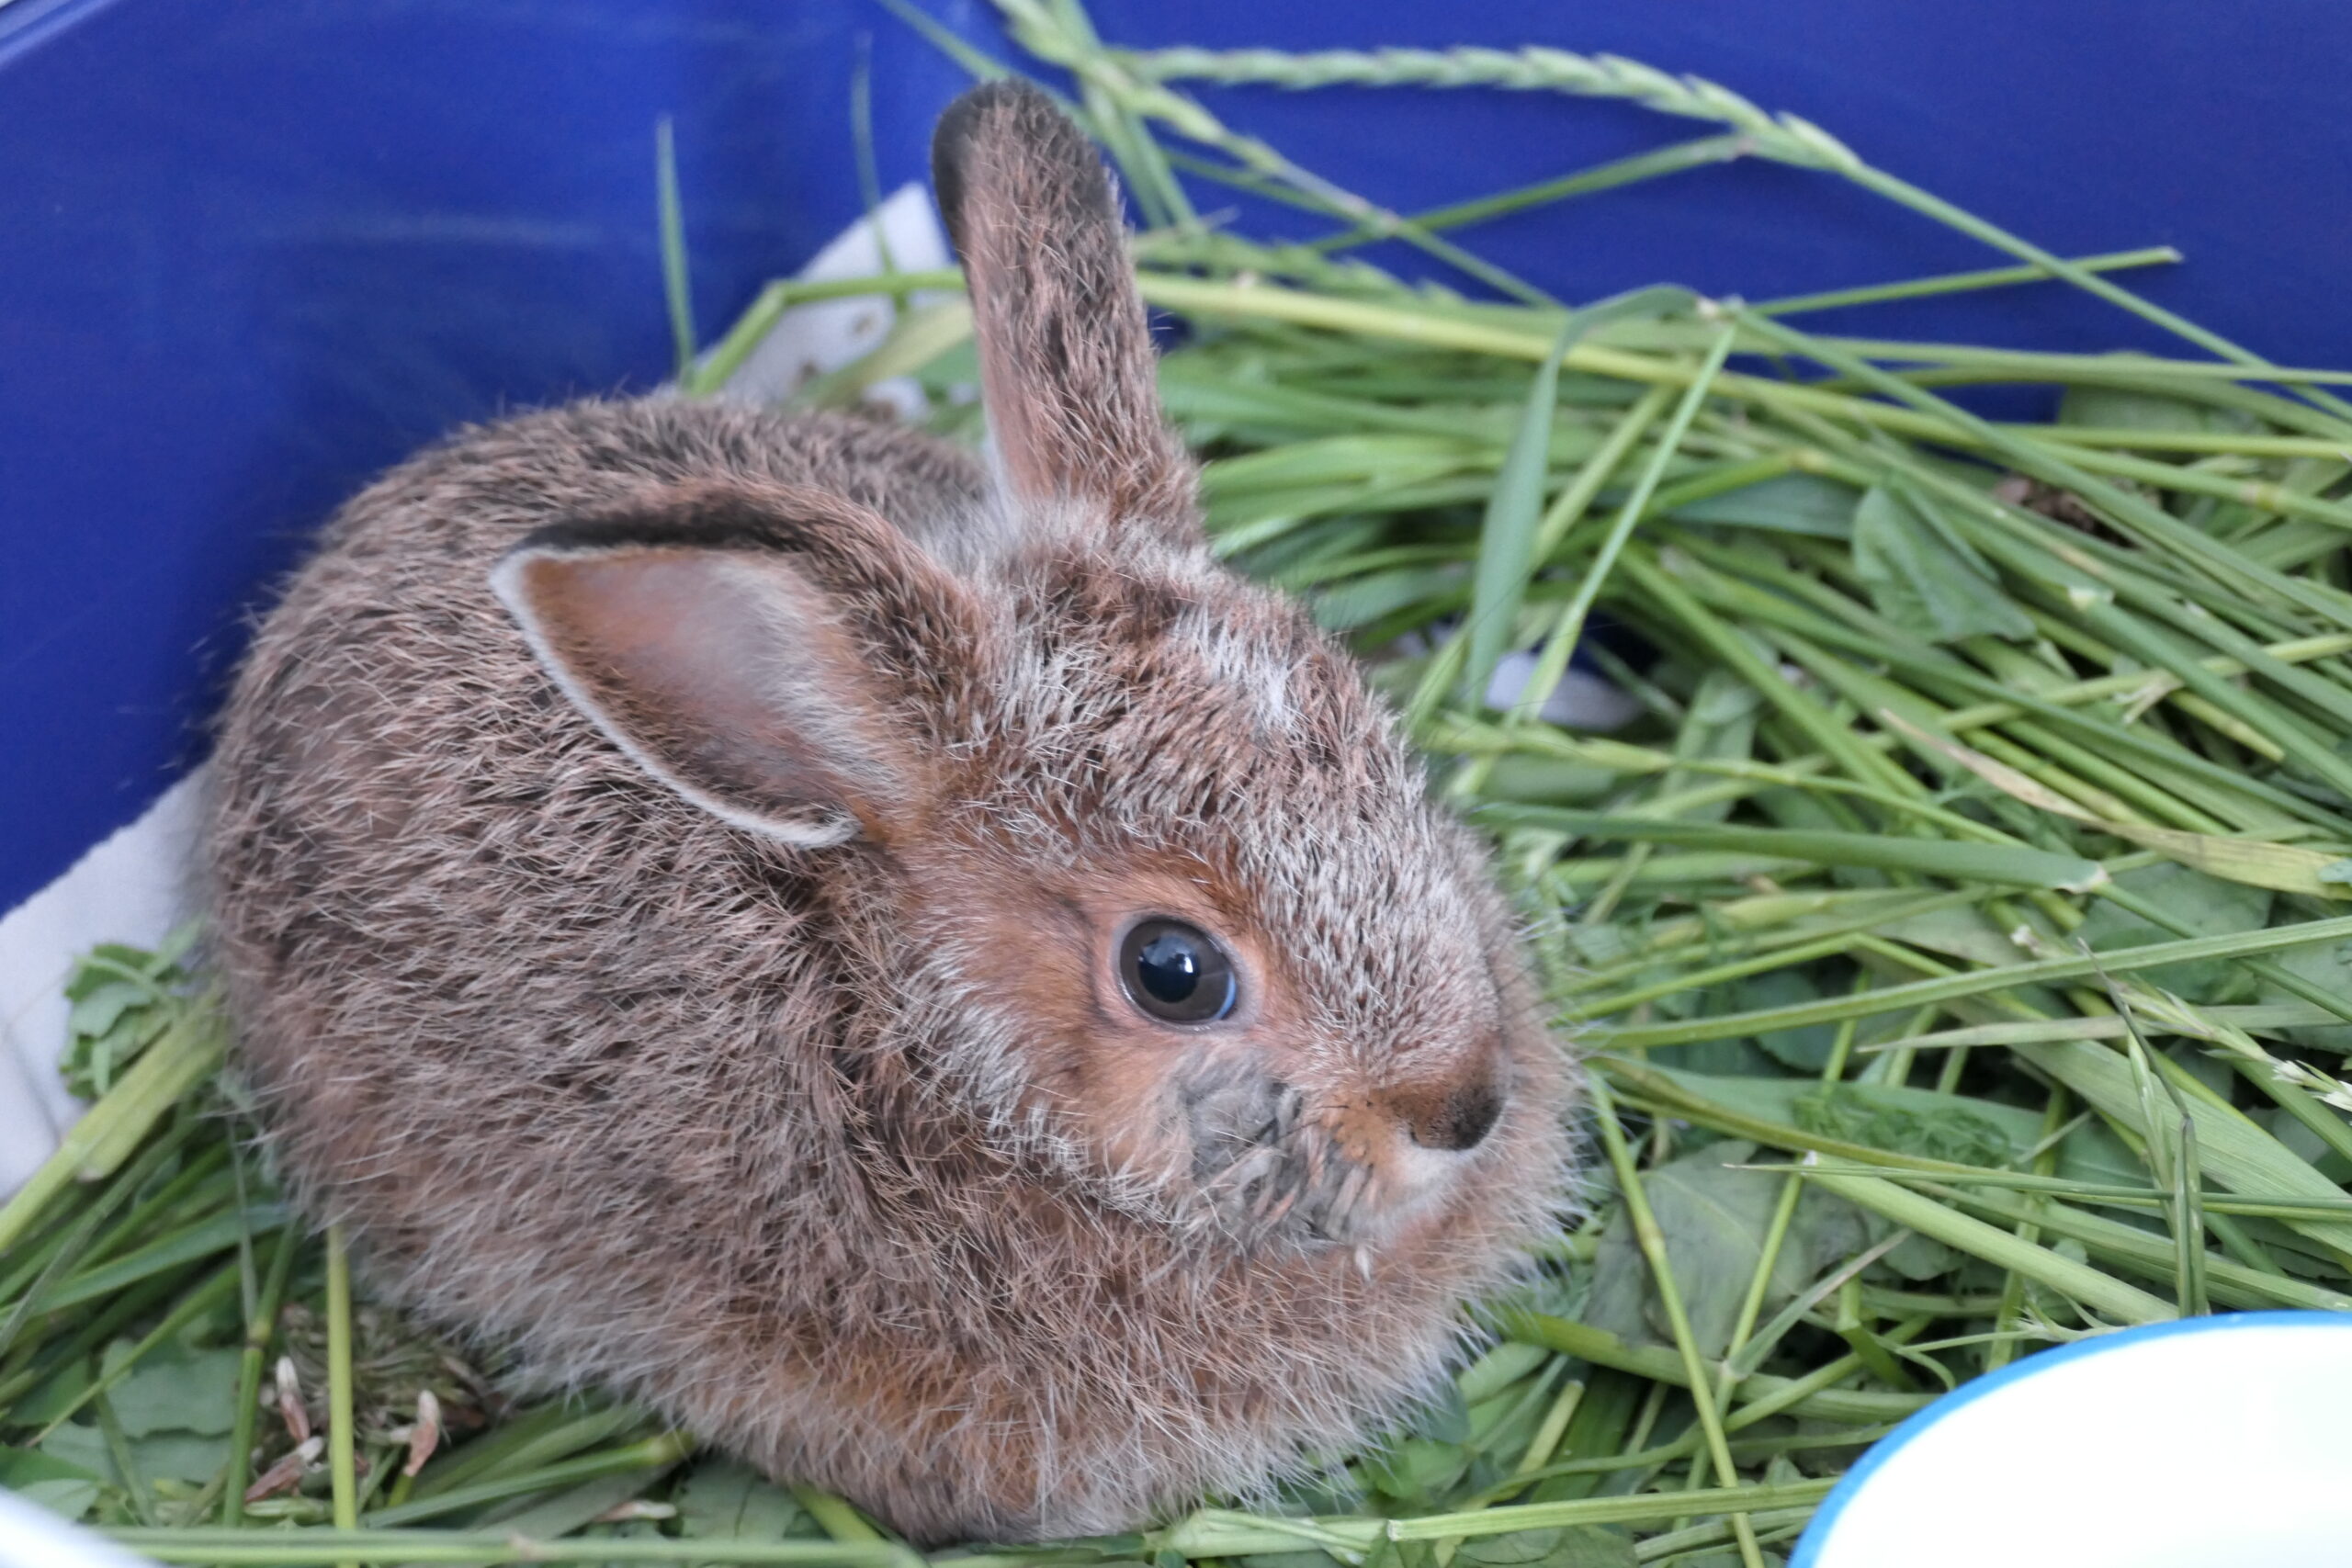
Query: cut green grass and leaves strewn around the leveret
[1958, 930]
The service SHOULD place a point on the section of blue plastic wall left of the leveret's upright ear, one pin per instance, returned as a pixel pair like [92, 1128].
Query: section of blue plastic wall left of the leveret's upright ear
[255, 253]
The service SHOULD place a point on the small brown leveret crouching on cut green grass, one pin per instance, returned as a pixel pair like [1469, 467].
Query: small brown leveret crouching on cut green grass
[907, 967]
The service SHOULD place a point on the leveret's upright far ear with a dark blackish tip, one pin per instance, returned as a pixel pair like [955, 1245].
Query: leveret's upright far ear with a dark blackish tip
[1067, 359]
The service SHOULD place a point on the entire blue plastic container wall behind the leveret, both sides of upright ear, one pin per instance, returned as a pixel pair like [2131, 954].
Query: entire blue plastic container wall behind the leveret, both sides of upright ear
[255, 253]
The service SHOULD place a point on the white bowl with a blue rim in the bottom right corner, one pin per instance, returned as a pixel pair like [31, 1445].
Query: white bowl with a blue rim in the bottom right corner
[2198, 1445]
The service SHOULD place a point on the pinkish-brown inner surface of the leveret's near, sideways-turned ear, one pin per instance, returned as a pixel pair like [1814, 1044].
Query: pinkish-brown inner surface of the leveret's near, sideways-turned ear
[723, 674]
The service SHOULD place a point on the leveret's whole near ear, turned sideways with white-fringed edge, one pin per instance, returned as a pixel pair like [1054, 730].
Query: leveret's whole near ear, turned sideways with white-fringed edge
[768, 657]
